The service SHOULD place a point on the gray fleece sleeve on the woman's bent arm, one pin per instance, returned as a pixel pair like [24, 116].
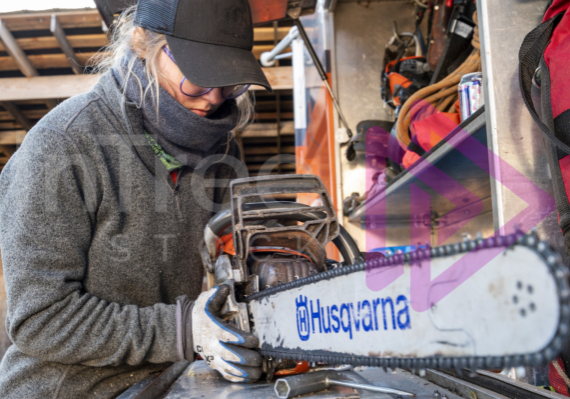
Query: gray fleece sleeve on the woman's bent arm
[48, 203]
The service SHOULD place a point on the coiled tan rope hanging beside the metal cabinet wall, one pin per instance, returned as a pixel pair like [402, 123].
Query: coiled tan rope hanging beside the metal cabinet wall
[442, 95]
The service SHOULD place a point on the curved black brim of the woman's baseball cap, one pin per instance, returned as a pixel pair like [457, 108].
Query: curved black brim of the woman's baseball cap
[209, 65]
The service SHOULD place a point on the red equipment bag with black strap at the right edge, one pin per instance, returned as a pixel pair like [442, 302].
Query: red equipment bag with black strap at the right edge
[548, 47]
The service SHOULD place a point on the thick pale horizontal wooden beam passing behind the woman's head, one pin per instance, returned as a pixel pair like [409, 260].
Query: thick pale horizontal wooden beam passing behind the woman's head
[65, 86]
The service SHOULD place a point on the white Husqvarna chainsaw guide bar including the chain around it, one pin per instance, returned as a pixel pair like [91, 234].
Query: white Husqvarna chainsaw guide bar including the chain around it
[518, 316]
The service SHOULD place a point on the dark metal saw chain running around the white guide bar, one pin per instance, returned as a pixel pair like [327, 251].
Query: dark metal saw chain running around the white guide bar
[545, 252]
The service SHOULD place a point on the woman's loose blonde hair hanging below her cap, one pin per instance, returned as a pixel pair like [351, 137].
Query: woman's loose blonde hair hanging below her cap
[148, 47]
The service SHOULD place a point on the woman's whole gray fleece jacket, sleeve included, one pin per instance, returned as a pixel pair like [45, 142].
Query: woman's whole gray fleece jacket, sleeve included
[97, 242]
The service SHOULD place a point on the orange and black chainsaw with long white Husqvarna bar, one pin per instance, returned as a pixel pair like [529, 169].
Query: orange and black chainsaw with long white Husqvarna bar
[483, 304]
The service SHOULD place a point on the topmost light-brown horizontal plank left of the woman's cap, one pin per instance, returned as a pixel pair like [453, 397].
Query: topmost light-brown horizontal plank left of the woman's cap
[41, 20]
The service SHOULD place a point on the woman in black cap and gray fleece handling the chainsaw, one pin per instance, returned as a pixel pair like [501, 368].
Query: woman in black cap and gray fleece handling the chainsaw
[103, 207]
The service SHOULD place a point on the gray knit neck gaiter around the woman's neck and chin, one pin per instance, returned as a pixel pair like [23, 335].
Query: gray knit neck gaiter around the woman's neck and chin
[180, 132]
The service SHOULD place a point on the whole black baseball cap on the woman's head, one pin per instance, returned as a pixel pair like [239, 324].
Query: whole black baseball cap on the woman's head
[211, 40]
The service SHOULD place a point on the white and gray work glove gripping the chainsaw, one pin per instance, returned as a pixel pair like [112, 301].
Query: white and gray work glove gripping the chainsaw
[225, 348]
